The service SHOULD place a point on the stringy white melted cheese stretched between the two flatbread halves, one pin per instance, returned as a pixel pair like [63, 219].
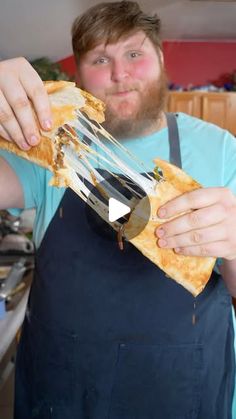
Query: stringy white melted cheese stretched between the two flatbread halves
[80, 157]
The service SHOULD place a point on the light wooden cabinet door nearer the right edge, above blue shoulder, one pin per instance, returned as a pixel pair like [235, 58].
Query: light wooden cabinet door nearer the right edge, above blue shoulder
[216, 108]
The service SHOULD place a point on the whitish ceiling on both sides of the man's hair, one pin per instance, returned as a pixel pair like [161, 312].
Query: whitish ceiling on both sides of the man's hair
[35, 28]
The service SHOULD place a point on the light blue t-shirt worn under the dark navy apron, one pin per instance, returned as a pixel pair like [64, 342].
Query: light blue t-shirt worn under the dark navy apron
[208, 155]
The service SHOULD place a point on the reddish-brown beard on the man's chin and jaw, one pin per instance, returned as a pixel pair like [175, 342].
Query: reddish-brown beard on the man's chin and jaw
[145, 119]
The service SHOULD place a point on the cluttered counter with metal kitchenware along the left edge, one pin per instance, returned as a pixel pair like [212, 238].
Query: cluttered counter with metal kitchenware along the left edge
[16, 271]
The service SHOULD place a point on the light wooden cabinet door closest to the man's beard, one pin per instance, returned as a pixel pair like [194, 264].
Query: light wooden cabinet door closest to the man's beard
[187, 102]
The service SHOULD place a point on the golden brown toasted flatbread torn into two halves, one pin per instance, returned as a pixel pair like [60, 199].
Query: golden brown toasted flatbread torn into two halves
[66, 99]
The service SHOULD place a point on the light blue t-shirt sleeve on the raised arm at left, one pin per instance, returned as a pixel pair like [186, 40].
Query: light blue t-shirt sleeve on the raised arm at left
[31, 179]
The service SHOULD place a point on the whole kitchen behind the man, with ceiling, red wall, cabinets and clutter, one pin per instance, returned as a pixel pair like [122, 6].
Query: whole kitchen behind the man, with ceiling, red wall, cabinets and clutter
[199, 44]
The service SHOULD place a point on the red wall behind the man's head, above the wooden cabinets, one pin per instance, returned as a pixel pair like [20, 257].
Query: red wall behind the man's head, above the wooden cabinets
[188, 62]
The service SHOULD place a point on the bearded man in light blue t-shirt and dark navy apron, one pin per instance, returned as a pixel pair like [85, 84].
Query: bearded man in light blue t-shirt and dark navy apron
[106, 334]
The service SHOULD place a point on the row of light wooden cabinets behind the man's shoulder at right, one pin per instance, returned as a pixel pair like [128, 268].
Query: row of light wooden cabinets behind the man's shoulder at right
[218, 108]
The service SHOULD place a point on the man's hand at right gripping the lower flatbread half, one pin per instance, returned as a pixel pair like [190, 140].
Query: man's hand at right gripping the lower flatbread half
[207, 229]
